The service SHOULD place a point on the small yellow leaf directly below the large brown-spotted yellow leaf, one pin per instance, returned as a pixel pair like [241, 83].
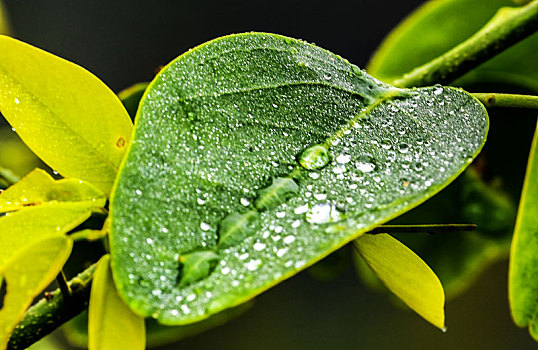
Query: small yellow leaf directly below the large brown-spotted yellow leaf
[39, 188]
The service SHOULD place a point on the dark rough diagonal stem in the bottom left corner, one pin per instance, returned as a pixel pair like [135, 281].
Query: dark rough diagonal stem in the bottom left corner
[52, 311]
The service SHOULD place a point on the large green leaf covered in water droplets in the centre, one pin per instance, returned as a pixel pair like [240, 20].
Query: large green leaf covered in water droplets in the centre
[285, 150]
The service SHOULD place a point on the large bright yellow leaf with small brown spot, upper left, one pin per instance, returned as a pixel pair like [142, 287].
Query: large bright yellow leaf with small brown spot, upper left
[66, 115]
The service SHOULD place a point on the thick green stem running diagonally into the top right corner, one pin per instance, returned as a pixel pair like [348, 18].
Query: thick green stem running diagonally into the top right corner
[509, 26]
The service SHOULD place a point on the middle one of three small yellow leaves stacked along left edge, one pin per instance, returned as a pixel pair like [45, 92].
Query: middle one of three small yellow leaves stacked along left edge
[23, 228]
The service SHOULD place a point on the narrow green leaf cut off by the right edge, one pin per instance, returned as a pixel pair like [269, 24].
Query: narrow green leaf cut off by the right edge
[523, 273]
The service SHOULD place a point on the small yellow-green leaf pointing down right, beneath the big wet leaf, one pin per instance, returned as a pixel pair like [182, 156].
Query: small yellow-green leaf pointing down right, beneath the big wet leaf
[405, 274]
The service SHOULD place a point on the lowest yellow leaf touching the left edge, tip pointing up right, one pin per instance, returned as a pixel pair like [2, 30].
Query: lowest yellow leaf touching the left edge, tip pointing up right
[26, 274]
